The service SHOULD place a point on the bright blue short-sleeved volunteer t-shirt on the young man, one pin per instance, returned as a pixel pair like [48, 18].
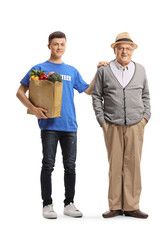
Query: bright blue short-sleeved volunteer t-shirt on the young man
[71, 80]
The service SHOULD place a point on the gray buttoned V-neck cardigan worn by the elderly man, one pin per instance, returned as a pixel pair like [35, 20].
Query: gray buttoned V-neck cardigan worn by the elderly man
[118, 105]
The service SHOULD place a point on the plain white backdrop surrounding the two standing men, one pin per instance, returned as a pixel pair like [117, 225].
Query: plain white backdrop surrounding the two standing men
[90, 27]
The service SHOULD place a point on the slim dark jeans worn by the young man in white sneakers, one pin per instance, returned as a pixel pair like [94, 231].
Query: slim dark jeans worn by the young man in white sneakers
[68, 143]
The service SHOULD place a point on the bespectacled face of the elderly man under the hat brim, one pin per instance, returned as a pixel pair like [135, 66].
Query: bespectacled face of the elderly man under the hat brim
[124, 53]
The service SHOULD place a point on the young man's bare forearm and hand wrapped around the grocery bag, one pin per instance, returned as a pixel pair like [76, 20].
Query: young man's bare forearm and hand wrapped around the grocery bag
[21, 95]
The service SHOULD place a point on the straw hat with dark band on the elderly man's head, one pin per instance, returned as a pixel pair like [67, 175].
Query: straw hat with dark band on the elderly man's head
[123, 38]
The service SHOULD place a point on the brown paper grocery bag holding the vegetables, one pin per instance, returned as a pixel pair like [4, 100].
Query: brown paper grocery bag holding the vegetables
[46, 94]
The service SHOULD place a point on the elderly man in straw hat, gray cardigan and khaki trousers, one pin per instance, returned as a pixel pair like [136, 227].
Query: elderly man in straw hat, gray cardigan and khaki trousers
[122, 106]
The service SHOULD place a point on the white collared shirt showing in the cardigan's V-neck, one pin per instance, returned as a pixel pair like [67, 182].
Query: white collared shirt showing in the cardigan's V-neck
[124, 76]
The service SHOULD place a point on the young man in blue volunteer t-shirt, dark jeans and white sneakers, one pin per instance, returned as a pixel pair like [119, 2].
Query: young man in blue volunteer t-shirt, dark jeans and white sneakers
[62, 129]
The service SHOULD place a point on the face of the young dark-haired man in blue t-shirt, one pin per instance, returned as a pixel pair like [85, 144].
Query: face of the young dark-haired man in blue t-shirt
[57, 47]
